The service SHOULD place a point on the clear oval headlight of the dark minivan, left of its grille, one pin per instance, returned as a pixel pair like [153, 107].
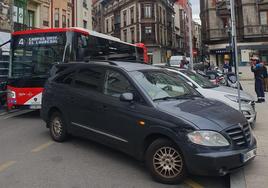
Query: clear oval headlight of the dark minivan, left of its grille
[208, 138]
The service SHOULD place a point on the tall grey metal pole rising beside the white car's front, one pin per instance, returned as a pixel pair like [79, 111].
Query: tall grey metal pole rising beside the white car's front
[234, 47]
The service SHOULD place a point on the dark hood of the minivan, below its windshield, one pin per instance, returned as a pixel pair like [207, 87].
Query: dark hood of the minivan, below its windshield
[204, 113]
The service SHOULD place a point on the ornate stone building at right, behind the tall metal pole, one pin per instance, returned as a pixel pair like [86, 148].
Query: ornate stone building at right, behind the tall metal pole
[252, 29]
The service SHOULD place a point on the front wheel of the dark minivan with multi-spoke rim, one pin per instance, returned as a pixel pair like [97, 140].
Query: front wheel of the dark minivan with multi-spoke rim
[165, 162]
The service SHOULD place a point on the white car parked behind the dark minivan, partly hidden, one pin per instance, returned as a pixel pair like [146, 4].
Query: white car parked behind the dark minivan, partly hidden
[225, 94]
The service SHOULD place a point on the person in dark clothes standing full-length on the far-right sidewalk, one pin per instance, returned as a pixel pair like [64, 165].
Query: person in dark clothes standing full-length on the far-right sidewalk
[258, 70]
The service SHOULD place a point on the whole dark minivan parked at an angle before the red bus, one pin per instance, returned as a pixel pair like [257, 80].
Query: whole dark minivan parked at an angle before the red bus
[149, 114]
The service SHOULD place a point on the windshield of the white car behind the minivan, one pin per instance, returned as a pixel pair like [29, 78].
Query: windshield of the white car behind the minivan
[200, 80]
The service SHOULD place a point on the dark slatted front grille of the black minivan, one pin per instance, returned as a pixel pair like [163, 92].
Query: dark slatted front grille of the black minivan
[240, 134]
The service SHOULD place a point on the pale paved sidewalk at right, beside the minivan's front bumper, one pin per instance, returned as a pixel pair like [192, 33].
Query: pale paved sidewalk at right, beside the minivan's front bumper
[255, 175]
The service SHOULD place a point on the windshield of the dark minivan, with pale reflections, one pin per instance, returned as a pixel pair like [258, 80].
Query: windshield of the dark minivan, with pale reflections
[163, 85]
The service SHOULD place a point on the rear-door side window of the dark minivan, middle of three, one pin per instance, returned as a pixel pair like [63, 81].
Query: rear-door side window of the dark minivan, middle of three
[89, 78]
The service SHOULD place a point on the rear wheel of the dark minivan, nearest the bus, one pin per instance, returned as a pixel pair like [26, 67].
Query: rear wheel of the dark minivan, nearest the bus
[57, 127]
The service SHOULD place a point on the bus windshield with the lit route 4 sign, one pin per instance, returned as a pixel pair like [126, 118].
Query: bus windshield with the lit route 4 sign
[34, 55]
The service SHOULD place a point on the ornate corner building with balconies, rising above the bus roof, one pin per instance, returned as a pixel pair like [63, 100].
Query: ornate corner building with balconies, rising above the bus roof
[135, 21]
